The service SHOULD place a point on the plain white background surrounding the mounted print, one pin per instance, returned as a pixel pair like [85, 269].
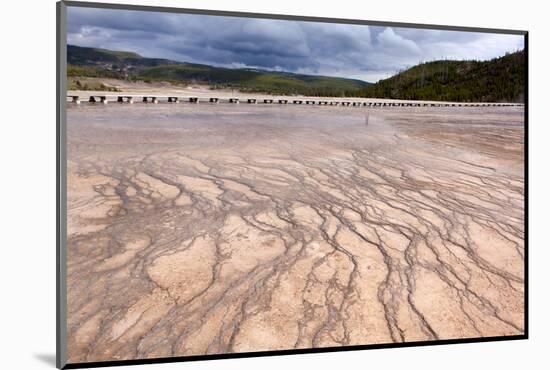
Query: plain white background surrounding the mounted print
[27, 182]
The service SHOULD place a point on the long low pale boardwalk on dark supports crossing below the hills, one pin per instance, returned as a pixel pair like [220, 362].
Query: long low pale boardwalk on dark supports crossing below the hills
[155, 99]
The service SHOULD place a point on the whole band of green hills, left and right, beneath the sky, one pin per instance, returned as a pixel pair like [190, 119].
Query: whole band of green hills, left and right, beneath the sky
[499, 79]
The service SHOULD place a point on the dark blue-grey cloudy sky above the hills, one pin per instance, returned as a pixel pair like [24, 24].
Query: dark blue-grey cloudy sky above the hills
[354, 51]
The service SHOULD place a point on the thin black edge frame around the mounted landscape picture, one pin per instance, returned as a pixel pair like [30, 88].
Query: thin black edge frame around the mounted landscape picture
[61, 186]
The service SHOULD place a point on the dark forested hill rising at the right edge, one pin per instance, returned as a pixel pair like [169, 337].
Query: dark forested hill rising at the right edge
[497, 80]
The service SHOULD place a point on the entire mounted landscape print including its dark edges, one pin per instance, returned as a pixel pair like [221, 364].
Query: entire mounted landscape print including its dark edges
[234, 184]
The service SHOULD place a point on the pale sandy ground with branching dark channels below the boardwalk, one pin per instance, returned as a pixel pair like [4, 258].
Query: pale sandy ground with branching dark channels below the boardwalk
[248, 228]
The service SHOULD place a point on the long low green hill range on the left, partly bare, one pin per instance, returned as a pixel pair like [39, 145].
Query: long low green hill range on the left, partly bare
[94, 62]
